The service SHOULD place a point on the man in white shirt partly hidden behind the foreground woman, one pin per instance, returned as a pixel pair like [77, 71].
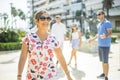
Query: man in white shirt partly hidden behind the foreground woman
[59, 31]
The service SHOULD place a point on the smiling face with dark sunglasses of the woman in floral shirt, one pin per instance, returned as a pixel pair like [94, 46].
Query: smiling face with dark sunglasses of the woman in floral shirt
[44, 21]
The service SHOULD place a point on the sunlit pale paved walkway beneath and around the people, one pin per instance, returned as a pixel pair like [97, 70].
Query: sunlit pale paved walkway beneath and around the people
[88, 64]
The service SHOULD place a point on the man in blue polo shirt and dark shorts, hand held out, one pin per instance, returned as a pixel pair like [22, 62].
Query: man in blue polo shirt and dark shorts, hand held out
[104, 42]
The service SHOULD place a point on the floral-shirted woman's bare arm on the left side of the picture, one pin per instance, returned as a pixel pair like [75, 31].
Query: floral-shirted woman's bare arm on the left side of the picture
[22, 60]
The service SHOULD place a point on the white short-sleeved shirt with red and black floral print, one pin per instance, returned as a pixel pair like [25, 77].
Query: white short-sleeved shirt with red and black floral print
[40, 57]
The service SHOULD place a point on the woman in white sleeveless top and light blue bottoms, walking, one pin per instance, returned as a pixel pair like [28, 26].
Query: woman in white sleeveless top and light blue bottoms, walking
[76, 39]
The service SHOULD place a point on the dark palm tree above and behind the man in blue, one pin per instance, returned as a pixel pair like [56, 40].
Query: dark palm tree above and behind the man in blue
[107, 4]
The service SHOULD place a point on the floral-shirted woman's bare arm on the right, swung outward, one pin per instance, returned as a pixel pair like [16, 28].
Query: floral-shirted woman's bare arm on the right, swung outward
[62, 61]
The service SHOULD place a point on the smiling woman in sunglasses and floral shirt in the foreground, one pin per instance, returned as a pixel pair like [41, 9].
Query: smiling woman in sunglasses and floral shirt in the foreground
[39, 47]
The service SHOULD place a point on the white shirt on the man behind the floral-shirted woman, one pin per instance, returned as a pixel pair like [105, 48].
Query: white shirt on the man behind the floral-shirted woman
[59, 30]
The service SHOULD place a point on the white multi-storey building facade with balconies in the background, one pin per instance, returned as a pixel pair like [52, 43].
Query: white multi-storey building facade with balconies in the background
[67, 9]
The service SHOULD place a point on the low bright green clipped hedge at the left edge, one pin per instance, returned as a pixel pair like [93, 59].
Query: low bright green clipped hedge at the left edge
[10, 46]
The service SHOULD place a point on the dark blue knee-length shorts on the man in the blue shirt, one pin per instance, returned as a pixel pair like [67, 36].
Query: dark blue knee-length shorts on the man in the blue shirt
[104, 54]
